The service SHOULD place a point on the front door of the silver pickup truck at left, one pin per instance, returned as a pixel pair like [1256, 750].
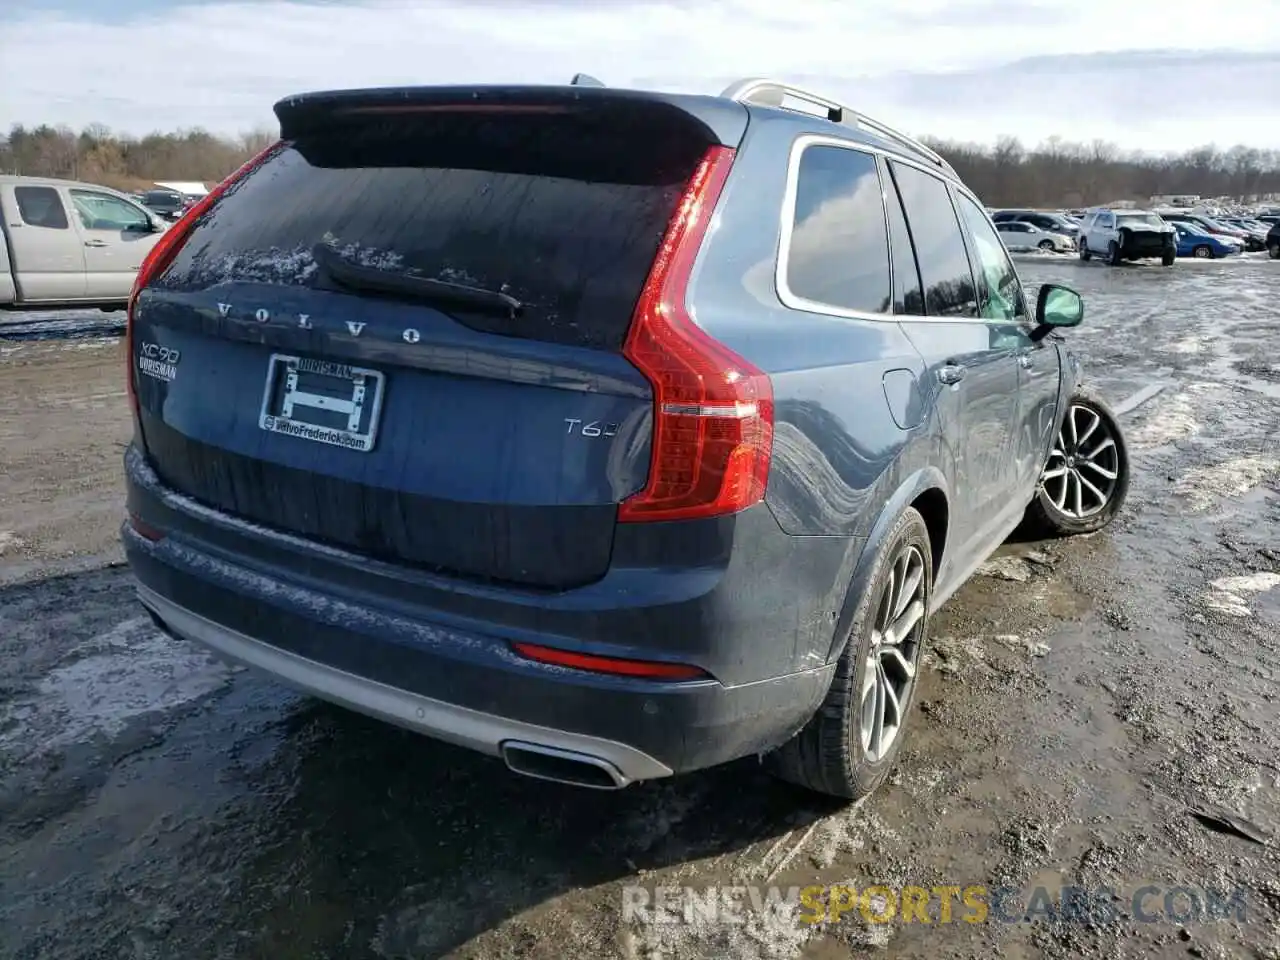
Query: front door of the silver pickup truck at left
[117, 236]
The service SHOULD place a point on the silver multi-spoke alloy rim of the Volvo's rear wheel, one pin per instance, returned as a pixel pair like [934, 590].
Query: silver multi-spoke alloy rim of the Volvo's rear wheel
[894, 656]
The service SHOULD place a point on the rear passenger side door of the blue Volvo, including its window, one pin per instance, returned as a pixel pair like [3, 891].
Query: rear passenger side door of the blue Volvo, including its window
[975, 369]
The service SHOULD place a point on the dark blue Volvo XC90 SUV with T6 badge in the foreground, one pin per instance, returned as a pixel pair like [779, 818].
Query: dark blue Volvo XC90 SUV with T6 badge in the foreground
[614, 433]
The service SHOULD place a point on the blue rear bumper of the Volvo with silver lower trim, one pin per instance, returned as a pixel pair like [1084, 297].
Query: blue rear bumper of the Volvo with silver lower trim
[451, 678]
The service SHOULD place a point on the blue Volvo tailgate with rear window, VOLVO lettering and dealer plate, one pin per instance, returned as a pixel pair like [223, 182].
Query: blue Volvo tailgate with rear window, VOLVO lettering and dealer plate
[300, 372]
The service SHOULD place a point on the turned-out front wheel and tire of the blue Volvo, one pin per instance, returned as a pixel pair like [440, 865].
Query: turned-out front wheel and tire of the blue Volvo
[1055, 509]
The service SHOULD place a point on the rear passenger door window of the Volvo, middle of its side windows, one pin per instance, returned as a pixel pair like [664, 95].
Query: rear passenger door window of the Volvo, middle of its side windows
[939, 244]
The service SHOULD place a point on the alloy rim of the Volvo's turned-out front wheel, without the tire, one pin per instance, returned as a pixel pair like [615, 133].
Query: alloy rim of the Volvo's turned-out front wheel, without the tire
[1085, 465]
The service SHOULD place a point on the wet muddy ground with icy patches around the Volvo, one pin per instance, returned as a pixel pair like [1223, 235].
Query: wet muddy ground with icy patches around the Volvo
[1084, 698]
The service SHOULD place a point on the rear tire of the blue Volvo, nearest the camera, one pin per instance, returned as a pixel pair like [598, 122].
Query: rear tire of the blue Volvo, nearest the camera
[830, 755]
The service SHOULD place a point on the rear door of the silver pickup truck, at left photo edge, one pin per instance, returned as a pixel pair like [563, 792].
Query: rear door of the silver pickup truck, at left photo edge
[47, 253]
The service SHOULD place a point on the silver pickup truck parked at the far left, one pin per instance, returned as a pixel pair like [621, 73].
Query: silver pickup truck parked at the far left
[67, 245]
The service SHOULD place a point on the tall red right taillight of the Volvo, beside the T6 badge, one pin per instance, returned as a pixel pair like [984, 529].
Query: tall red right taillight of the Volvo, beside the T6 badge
[714, 412]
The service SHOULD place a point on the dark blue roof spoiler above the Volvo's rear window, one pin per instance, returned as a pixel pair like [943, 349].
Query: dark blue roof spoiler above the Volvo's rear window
[719, 122]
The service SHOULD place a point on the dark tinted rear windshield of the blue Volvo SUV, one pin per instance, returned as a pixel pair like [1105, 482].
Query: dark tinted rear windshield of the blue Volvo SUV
[563, 213]
